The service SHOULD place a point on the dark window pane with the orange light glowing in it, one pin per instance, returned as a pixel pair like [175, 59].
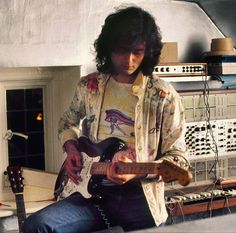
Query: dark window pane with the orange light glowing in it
[32, 121]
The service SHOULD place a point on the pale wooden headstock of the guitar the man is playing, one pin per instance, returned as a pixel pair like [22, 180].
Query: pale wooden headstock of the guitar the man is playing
[172, 171]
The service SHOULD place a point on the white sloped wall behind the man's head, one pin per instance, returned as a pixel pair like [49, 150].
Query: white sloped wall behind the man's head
[62, 32]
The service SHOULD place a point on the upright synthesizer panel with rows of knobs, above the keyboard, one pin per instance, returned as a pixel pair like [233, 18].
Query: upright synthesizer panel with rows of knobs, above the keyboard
[213, 139]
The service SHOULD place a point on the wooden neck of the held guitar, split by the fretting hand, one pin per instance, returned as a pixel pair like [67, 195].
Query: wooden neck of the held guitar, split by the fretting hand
[100, 168]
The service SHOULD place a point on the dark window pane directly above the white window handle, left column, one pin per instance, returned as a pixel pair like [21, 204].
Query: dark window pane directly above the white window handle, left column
[16, 121]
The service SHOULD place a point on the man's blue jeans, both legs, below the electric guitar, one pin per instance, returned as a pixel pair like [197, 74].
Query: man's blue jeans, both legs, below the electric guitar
[123, 206]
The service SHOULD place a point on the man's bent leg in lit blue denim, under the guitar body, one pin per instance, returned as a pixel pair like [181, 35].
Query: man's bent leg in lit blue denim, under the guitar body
[70, 215]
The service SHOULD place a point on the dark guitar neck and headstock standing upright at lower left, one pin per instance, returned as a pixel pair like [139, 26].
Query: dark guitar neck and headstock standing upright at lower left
[16, 181]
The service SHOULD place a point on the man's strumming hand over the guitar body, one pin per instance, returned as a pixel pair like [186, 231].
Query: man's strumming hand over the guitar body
[73, 162]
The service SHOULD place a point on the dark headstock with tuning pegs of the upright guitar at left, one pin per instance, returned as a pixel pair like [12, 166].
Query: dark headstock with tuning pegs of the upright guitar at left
[16, 180]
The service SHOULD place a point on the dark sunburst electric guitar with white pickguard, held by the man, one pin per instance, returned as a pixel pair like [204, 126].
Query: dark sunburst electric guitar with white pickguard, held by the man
[96, 159]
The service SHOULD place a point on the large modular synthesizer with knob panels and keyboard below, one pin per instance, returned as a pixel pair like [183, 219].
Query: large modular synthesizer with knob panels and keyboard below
[211, 143]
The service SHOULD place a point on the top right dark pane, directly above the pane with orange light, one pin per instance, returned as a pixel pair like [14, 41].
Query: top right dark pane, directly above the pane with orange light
[34, 98]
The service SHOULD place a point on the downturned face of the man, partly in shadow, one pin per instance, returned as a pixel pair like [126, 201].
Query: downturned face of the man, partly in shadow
[127, 61]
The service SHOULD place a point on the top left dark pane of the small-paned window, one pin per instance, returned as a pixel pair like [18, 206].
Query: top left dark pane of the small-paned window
[15, 99]
